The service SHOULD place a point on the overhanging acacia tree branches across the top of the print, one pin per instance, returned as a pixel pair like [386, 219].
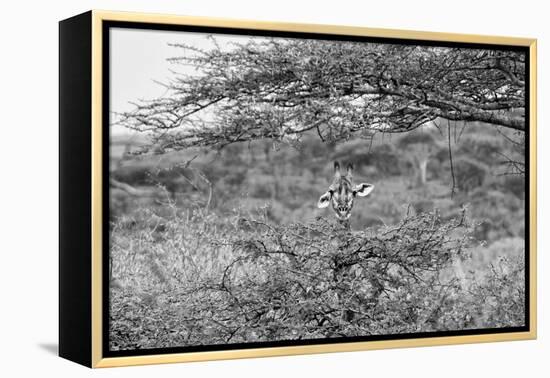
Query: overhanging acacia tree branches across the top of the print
[280, 88]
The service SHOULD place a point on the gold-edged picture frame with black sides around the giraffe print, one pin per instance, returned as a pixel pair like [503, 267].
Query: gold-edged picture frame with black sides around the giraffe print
[82, 259]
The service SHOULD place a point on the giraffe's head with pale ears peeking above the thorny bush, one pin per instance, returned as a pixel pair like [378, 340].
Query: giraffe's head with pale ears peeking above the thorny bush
[342, 192]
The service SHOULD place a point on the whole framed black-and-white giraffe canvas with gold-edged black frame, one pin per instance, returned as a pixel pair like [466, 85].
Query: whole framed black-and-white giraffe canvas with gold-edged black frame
[234, 189]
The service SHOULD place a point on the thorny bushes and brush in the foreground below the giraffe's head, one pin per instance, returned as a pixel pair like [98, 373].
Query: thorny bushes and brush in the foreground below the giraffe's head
[194, 279]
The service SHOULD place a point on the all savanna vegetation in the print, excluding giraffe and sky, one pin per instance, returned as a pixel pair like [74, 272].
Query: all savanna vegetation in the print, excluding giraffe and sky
[215, 233]
